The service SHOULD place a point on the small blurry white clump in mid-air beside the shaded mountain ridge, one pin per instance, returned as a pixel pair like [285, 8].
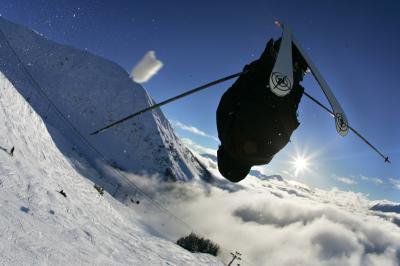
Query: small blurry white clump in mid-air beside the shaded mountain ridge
[148, 66]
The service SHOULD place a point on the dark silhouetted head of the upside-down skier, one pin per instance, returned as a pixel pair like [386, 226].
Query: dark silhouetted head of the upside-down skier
[230, 168]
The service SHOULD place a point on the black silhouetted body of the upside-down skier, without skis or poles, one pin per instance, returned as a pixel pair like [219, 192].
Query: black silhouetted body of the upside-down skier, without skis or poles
[253, 123]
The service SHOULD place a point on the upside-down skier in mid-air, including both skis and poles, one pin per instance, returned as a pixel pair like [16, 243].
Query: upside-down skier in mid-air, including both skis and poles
[258, 113]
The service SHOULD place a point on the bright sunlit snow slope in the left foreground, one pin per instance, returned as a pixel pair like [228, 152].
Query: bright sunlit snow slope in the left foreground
[38, 226]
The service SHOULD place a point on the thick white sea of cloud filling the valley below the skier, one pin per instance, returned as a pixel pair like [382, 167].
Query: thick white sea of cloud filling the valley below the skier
[278, 222]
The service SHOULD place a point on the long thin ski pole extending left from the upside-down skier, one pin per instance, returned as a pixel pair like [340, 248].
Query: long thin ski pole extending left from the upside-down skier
[169, 101]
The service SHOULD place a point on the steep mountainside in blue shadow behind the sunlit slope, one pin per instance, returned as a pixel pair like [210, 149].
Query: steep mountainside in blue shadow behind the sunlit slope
[90, 92]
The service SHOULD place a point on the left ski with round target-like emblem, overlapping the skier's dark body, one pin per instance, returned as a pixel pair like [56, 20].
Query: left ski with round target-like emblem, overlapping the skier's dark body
[281, 78]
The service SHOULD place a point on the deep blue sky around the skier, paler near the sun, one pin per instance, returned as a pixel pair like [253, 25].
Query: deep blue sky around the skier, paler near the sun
[353, 43]
